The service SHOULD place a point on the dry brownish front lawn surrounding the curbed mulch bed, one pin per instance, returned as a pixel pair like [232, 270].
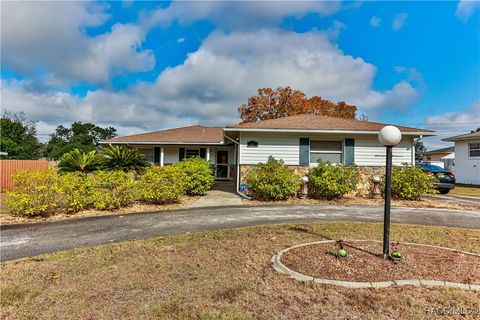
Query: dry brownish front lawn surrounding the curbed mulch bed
[220, 274]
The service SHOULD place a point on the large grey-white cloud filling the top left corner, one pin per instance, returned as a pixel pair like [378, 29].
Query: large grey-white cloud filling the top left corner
[50, 36]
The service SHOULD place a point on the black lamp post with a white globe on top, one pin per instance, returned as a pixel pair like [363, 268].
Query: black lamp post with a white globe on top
[389, 136]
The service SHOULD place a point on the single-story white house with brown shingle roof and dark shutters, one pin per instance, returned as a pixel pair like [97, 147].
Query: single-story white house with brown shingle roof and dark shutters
[300, 141]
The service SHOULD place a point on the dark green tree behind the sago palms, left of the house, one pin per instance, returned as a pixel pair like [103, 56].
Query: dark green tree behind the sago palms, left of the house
[82, 136]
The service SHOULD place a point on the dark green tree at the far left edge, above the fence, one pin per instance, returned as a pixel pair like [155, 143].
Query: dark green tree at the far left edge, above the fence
[18, 137]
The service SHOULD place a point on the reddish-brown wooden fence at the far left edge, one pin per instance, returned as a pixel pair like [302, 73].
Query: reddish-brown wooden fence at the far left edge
[8, 168]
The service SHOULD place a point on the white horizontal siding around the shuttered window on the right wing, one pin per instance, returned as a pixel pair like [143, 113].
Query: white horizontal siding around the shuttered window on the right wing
[367, 152]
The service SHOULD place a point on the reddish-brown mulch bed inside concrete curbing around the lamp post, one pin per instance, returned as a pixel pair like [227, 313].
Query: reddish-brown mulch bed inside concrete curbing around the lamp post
[365, 263]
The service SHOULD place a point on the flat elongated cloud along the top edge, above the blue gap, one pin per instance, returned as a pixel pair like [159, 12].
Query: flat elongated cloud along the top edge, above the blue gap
[238, 15]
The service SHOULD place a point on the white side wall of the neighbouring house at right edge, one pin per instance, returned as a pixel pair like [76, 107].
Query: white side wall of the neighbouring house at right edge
[467, 169]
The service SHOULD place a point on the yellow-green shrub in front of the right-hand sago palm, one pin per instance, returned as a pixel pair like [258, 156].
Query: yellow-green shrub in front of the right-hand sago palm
[113, 190]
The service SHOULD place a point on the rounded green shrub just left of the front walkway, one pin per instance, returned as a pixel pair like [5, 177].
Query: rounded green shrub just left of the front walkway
[199, 173]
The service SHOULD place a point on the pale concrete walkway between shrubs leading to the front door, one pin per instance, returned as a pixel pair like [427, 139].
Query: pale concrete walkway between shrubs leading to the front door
[222, 194]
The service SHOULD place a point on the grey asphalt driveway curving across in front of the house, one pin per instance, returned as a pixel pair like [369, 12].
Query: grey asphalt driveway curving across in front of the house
[19, 241]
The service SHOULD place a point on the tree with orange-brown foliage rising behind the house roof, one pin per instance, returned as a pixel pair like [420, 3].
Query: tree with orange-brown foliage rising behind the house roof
[284, 101]
